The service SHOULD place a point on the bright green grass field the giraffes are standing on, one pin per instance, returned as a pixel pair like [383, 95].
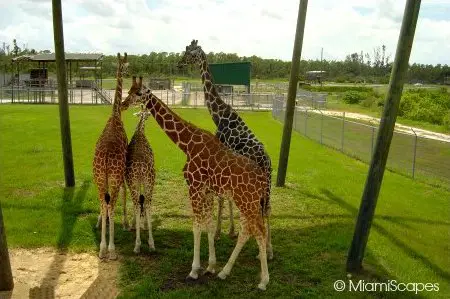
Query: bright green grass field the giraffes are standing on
[312, 223]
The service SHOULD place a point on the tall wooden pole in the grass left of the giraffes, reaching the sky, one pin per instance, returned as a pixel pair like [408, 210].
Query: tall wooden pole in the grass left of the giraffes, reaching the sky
[62, 93]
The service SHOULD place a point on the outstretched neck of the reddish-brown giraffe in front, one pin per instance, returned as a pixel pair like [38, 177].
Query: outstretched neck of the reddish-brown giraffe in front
[177, 129]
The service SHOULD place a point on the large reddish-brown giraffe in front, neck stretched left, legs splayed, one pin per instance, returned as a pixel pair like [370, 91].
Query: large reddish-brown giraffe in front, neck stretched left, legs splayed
[212, 168]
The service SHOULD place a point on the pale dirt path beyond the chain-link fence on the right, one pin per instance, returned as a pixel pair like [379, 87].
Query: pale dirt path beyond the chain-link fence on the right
[398, 127]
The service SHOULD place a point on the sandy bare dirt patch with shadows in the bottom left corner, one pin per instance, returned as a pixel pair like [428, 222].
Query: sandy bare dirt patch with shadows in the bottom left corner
[47, 273]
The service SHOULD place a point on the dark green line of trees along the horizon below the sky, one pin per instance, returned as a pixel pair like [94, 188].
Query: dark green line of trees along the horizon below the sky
[357, 67]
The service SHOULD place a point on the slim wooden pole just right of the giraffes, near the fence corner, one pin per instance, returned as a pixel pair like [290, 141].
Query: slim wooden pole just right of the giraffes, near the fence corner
[292, 91]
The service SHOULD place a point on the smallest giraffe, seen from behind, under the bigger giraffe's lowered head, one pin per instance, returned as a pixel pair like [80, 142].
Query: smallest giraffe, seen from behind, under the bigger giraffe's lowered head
[140, 178]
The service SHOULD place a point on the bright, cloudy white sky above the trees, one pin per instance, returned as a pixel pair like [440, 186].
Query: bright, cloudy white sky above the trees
[265, 28]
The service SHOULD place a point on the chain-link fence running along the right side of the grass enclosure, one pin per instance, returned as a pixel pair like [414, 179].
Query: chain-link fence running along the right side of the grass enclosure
[409, 154]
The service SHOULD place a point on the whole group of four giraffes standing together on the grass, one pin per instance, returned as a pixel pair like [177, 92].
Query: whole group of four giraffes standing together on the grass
[232, 164]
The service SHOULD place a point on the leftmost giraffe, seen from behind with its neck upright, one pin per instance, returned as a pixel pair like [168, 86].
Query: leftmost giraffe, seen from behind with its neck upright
[109, 165]
